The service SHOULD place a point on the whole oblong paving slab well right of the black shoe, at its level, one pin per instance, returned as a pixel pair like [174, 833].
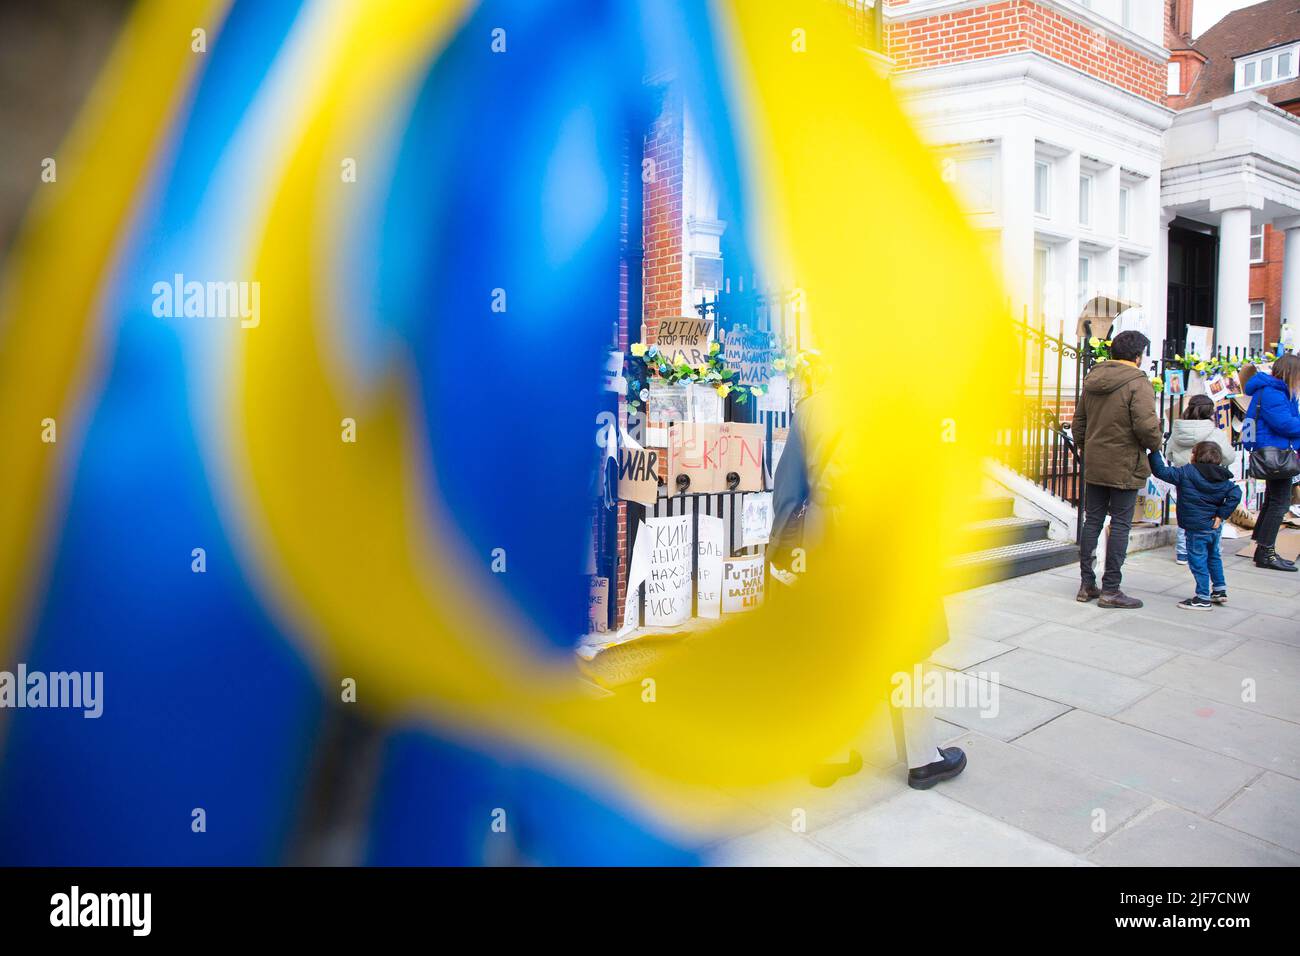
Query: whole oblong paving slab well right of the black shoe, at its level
[1149, 763]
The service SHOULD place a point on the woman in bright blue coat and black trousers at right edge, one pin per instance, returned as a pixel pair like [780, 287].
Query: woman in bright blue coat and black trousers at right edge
[1277, 425]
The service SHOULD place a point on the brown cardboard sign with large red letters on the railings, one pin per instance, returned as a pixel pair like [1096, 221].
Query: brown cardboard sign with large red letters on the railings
[707, 455]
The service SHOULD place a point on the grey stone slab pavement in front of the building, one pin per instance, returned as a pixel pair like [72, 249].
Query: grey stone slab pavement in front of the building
[1159, 737]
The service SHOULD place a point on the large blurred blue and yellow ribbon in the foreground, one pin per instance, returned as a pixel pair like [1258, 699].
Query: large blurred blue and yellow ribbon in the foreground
[371, 561]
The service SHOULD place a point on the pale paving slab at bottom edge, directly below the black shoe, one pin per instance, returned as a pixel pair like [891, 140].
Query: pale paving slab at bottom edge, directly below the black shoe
[928, 829]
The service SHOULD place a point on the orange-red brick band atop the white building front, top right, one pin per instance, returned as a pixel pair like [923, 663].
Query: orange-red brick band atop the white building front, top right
[1013, 27]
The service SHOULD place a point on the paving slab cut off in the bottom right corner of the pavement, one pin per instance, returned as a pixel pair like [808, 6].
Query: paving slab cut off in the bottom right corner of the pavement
[1176, 838]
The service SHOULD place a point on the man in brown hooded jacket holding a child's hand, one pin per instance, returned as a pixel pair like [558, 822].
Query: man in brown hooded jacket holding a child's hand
[1116, 425]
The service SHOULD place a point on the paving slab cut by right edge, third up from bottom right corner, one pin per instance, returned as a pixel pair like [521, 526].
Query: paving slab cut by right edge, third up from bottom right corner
[1245, 736]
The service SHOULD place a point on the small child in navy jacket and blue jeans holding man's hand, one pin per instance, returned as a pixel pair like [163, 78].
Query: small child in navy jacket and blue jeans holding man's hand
[1207, 498]
